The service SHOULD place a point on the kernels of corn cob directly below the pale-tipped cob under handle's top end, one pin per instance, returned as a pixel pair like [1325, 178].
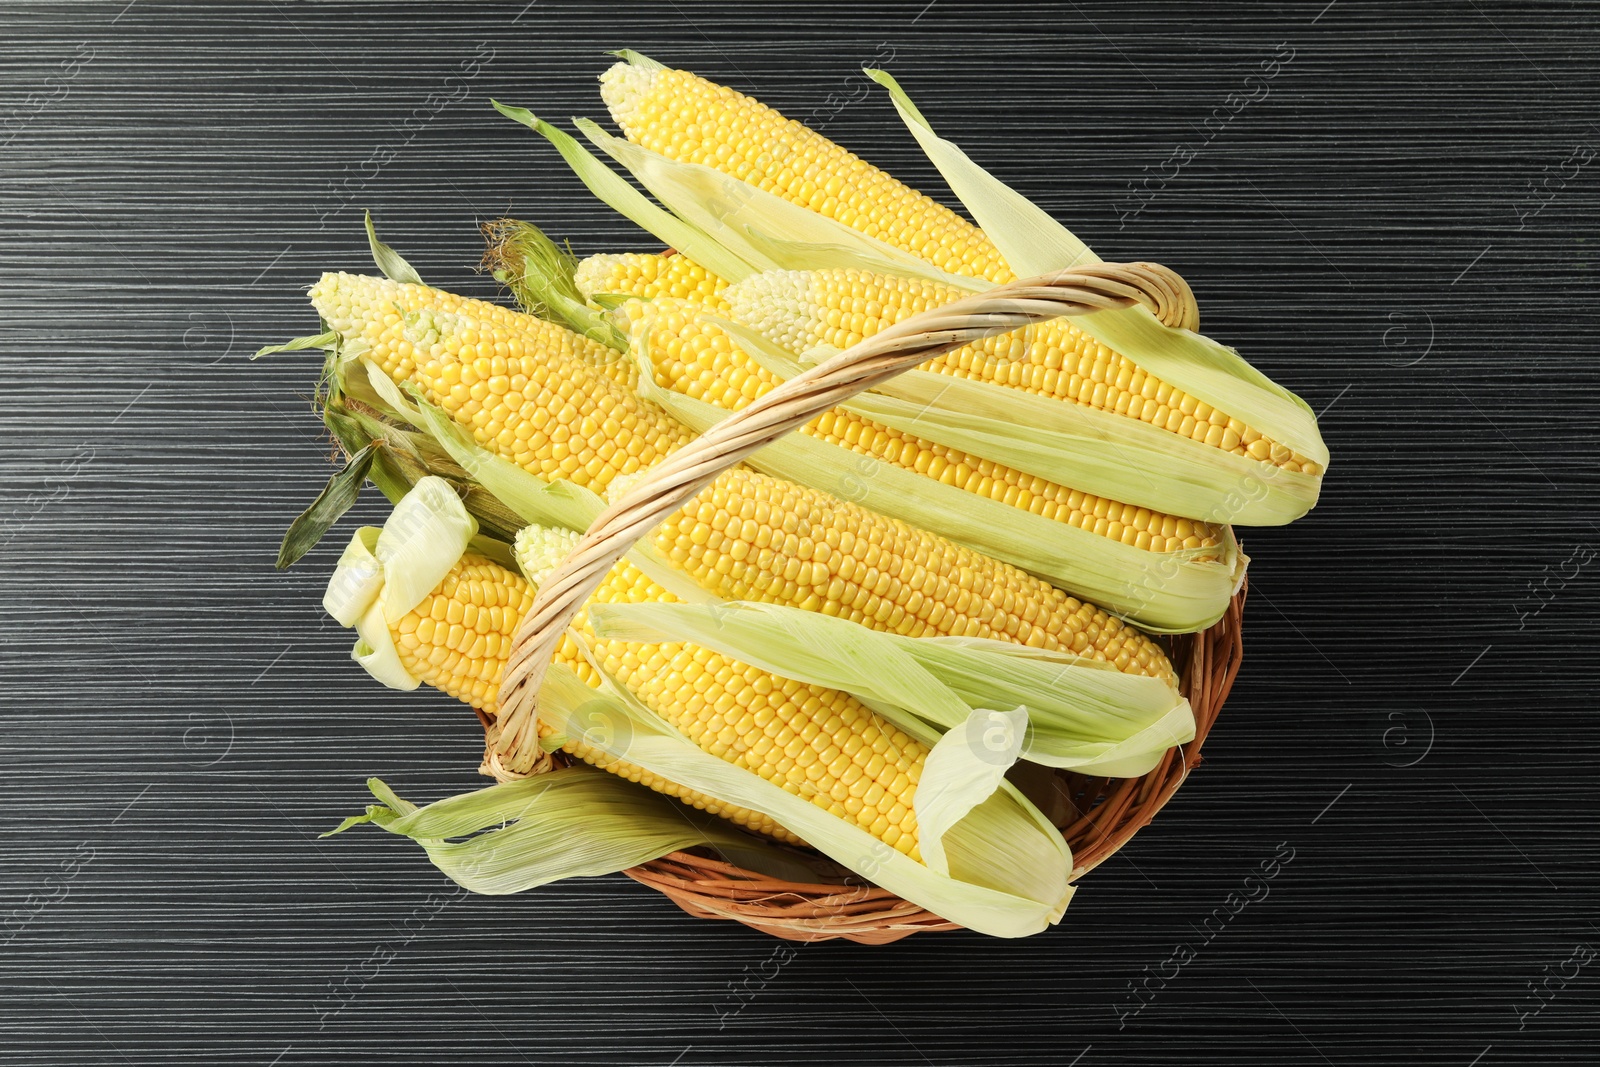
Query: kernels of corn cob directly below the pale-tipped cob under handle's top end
[702, 361]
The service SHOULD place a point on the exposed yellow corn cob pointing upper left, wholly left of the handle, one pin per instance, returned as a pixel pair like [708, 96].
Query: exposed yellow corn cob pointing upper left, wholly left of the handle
[530, 391]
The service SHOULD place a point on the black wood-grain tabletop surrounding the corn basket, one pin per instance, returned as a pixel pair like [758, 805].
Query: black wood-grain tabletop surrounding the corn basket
[1394, 225]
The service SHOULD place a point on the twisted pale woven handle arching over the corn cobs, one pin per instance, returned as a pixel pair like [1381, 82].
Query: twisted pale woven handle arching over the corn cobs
[514, 738]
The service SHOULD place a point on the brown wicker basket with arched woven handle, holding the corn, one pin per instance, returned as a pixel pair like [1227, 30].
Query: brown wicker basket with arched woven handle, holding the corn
[1098, 817]
